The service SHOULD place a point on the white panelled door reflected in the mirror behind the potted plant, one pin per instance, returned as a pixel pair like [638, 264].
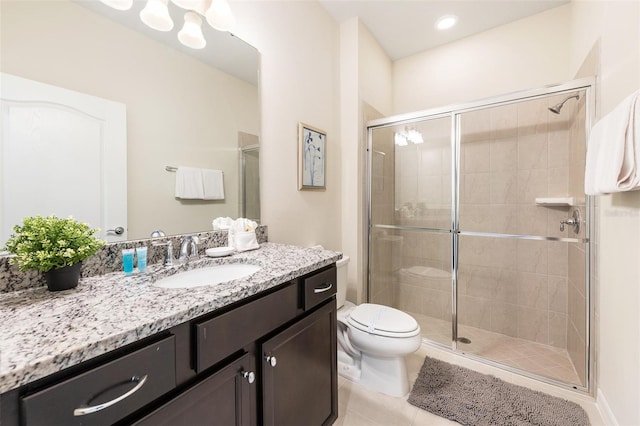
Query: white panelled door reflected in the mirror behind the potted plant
[63, 153]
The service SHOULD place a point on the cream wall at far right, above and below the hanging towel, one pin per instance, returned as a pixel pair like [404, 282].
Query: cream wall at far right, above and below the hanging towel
[613, 27]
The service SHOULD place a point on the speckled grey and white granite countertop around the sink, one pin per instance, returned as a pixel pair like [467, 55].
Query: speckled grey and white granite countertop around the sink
[44, 332]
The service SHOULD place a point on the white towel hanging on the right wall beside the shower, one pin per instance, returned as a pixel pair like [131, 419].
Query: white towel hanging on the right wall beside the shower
[613, 152]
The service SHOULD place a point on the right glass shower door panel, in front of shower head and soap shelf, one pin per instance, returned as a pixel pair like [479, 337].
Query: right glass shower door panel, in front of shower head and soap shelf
[521, 286]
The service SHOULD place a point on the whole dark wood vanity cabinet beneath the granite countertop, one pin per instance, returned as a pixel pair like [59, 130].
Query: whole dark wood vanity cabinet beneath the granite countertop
[269, 359]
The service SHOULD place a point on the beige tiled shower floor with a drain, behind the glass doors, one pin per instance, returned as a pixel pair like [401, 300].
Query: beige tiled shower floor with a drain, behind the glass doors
[536, 358]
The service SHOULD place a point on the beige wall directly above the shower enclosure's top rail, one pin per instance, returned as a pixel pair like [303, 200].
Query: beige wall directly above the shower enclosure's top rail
[528, 53]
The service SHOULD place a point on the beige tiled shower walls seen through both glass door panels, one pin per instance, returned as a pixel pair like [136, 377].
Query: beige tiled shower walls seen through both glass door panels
[510, 155]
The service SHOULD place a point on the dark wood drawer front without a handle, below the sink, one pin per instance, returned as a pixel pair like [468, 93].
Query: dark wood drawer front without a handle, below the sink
[223, 335]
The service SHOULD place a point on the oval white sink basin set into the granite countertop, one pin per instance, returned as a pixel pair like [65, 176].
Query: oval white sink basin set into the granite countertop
[210, 275]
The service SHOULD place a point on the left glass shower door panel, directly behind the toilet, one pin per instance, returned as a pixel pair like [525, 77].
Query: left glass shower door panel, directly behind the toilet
[411, 216]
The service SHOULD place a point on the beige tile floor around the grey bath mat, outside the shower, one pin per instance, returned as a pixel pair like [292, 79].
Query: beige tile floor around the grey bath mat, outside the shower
[358, 406]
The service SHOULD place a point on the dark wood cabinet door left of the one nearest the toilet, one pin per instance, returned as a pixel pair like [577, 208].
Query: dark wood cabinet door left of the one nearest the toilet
[225, 398]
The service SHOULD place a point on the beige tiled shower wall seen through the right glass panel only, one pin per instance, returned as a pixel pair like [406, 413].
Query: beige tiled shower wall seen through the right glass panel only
[511, 155]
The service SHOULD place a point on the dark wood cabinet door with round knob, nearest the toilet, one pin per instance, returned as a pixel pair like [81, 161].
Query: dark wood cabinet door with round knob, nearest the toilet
[301, 388]
